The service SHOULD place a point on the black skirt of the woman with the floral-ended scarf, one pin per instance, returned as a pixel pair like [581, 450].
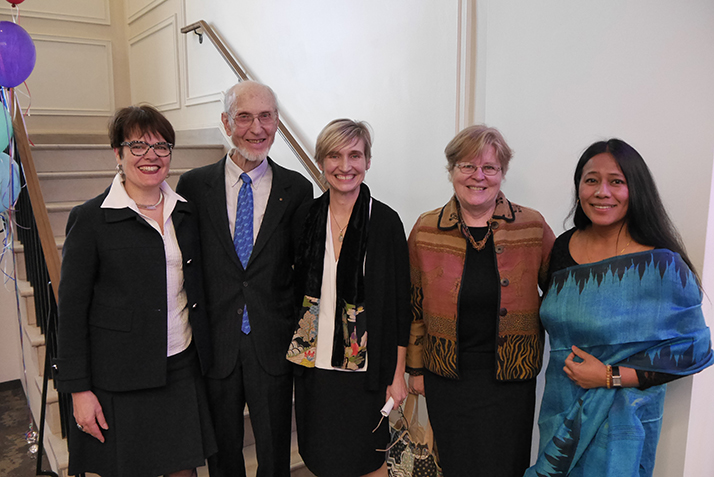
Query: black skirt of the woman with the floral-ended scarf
[335, 416]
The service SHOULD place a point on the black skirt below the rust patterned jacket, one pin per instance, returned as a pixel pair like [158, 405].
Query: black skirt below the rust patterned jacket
[481, 426]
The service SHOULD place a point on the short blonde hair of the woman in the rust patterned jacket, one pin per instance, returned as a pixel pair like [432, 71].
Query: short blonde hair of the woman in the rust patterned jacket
[471, 143]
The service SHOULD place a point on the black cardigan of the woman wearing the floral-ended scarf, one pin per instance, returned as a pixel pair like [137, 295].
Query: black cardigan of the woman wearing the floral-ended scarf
[386, 292]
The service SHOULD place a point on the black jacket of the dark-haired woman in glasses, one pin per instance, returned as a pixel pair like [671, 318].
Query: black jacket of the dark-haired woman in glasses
[112, 298]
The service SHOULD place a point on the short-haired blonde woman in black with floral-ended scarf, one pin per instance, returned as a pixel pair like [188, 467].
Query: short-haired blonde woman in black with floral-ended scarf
[352, 282]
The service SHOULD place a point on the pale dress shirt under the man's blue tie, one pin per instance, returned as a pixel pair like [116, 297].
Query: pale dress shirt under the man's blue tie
[262, 182]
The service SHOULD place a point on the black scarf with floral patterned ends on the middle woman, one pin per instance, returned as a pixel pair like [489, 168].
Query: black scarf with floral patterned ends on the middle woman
[349, 343]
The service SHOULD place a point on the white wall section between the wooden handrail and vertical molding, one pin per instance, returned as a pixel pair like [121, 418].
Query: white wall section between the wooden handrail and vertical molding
[393, 64]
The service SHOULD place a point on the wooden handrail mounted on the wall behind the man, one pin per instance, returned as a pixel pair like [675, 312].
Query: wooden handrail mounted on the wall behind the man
[201, 28]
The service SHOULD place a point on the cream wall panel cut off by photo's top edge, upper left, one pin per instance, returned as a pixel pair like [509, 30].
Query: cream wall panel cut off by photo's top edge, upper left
[83, 11]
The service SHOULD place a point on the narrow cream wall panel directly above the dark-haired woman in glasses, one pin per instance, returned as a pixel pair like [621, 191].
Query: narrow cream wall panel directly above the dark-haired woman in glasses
[154, 65]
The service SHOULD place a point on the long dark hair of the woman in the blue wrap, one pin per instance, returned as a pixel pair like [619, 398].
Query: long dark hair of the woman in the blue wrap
[647, 220]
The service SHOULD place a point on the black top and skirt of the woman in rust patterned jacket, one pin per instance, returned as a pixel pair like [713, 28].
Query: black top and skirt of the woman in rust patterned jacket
[481, 426]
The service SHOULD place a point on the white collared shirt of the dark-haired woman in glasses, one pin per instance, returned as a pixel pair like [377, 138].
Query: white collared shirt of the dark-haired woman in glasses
[179, 331]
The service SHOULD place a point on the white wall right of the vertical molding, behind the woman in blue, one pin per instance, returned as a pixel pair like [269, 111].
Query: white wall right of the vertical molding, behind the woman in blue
[560, 75]
